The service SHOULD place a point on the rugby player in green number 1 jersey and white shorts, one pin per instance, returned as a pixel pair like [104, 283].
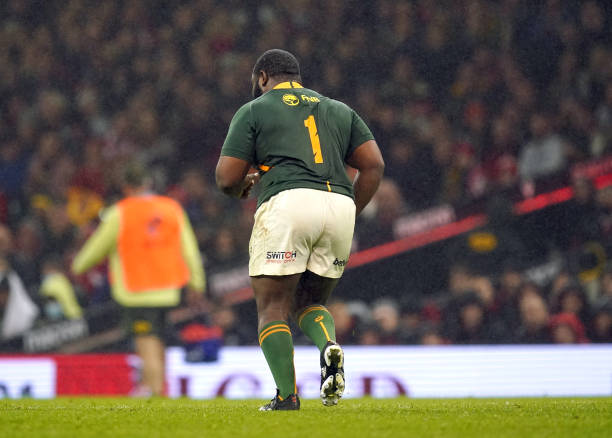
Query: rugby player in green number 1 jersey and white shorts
[301, 142]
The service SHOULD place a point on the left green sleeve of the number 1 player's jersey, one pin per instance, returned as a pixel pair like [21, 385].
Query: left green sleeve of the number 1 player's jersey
[240, 140]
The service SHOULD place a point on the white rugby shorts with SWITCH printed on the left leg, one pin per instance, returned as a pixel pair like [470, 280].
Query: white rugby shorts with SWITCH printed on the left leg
[302, 229]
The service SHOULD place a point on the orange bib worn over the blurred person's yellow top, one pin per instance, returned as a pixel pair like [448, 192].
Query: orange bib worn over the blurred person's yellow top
[149, 244]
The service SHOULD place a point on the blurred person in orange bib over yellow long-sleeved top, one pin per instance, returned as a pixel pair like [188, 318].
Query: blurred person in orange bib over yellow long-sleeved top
[153, 254]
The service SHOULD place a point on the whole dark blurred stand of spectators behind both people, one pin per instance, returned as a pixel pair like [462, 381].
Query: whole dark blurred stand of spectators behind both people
[495, 110]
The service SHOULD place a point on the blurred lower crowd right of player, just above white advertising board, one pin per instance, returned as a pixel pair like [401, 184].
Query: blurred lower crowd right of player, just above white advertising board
[479, 309]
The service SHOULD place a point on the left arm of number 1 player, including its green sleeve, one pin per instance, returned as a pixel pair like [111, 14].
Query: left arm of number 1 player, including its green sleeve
[237, 155]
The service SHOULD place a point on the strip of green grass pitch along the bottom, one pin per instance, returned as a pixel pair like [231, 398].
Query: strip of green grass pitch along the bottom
[401, 417]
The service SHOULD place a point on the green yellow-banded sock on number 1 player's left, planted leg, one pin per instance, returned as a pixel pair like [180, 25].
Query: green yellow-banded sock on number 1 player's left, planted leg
[277, 344]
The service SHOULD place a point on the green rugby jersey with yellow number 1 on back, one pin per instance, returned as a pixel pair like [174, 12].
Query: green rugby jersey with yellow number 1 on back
[297, 138]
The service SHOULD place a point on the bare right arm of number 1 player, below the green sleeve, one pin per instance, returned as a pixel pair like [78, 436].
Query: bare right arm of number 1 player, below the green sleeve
[368, 160]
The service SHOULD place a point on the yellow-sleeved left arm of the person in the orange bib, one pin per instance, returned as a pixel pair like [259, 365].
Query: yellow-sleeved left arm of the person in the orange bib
[99, 244]
